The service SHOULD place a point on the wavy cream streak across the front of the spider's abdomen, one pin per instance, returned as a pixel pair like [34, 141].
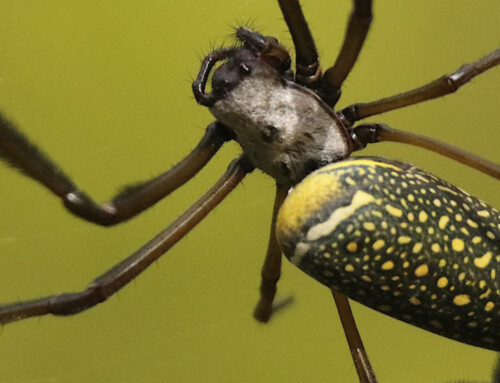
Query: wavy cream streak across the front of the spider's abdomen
[322, 229]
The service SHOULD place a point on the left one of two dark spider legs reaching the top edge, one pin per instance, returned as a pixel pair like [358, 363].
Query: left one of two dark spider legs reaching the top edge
[308, 70]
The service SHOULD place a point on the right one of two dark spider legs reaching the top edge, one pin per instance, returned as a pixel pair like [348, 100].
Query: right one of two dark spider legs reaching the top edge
[357, 30]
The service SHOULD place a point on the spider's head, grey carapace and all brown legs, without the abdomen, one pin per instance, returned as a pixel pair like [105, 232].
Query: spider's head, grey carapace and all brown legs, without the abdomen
[286, 126]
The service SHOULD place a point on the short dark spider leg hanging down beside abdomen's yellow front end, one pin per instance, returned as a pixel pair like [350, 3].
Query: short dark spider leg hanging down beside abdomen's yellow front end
[271, 270]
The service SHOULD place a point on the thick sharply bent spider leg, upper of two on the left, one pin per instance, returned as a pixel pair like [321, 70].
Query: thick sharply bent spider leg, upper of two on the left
[19, 152]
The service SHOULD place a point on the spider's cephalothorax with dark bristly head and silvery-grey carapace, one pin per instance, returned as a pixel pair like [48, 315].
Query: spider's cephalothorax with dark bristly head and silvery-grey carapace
[285, 129]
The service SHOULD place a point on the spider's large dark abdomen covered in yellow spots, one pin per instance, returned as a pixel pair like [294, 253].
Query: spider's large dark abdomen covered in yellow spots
[400, 241]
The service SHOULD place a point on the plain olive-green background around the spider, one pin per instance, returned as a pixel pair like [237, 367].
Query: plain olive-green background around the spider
[104, 87]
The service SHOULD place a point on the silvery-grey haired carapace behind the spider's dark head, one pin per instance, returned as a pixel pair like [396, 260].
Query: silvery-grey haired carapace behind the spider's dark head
[282, 127]
